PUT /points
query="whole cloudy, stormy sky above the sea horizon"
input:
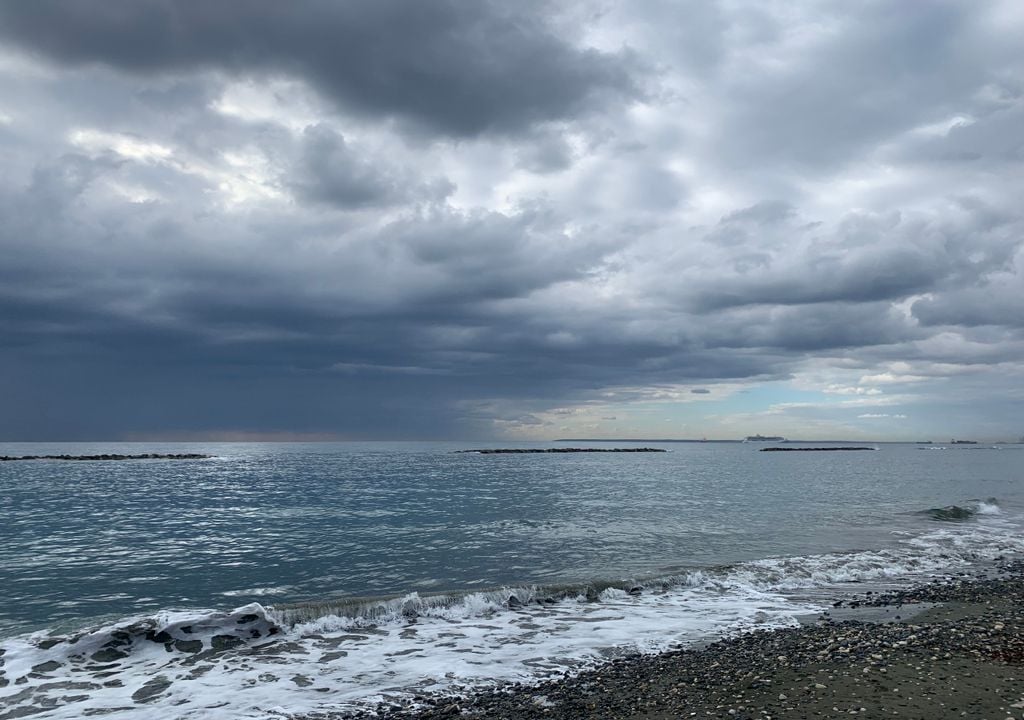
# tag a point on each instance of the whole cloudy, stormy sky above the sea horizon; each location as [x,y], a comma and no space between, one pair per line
[395,220]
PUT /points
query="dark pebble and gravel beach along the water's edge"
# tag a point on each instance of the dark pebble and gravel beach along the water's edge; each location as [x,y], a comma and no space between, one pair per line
[962,658]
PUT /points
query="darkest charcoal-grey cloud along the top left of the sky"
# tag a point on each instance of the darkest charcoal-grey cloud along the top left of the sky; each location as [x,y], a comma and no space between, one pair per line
[458,69]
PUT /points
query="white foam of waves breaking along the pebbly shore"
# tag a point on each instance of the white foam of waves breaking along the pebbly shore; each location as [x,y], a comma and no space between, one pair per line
[265,663]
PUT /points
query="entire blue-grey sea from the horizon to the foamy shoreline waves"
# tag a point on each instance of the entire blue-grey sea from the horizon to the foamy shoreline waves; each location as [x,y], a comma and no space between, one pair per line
[280,579]
